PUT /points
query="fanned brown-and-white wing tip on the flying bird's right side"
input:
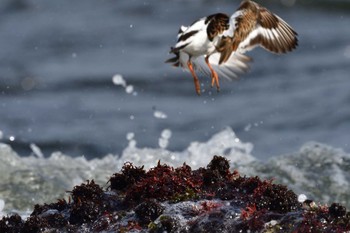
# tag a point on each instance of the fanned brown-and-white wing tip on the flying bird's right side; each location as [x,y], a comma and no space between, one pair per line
[271,32]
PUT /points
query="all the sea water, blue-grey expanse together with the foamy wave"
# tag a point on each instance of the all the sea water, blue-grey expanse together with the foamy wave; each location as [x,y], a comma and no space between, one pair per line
[84,87]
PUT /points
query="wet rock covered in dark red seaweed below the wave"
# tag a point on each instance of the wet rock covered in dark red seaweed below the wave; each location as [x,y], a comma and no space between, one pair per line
[167,199]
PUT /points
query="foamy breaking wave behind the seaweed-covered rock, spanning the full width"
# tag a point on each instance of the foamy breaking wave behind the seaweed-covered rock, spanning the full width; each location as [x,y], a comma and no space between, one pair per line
[319,171]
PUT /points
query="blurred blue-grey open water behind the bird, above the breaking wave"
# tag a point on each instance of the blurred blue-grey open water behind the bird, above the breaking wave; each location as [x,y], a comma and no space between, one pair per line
[58,58]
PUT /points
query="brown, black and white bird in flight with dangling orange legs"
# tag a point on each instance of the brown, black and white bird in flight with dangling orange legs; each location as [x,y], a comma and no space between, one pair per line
[216,44]
